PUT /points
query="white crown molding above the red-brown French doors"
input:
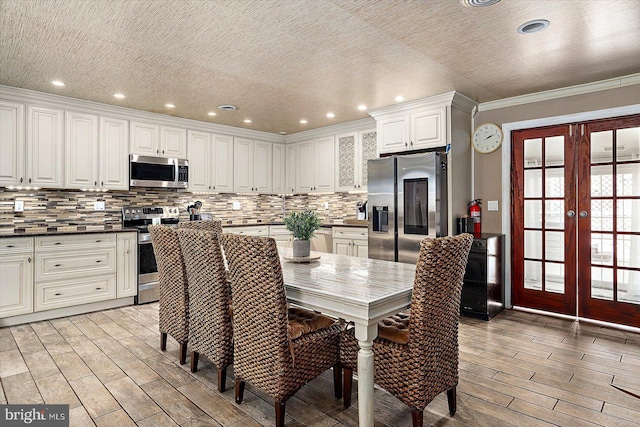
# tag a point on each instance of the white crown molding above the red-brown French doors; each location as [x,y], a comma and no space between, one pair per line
[632,79]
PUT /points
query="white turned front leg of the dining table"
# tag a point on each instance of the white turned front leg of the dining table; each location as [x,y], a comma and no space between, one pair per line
[365,335]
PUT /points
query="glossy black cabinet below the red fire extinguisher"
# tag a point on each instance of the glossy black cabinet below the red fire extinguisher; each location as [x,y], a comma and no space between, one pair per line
[482,291]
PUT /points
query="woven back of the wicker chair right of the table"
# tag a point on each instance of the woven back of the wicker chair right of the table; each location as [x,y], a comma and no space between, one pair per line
[435,302]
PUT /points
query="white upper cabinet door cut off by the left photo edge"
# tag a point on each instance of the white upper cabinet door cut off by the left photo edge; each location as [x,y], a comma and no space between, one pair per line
[12,144]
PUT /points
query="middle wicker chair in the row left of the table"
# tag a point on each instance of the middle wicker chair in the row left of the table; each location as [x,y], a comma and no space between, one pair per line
[210,331]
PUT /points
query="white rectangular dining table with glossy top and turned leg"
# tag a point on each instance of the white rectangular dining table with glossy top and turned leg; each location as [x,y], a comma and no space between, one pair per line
[359,290]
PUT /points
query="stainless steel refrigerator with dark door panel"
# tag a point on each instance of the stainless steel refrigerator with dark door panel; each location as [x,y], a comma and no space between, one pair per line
[407,202]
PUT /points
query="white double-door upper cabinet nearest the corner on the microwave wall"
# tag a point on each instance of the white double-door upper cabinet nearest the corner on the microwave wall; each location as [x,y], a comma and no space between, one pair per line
[252,167]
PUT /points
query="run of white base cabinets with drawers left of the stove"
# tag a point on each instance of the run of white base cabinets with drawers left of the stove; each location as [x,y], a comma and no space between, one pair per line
[51,276]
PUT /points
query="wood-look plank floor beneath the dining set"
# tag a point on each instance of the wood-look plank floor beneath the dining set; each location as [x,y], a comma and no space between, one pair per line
[518,369]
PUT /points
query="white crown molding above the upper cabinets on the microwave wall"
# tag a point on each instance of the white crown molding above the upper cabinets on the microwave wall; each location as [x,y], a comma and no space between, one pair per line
[91,107]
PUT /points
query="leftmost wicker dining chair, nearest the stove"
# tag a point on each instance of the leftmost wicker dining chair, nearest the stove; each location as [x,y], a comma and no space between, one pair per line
[174,294]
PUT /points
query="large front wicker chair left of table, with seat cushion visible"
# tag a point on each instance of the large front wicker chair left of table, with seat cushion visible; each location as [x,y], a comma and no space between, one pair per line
[276,349]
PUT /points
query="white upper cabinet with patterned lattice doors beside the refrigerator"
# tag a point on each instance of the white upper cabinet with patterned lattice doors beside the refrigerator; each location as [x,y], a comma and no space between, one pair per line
[352,152]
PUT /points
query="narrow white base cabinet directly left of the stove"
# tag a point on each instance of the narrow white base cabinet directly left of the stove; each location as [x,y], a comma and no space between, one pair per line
[127,265]
